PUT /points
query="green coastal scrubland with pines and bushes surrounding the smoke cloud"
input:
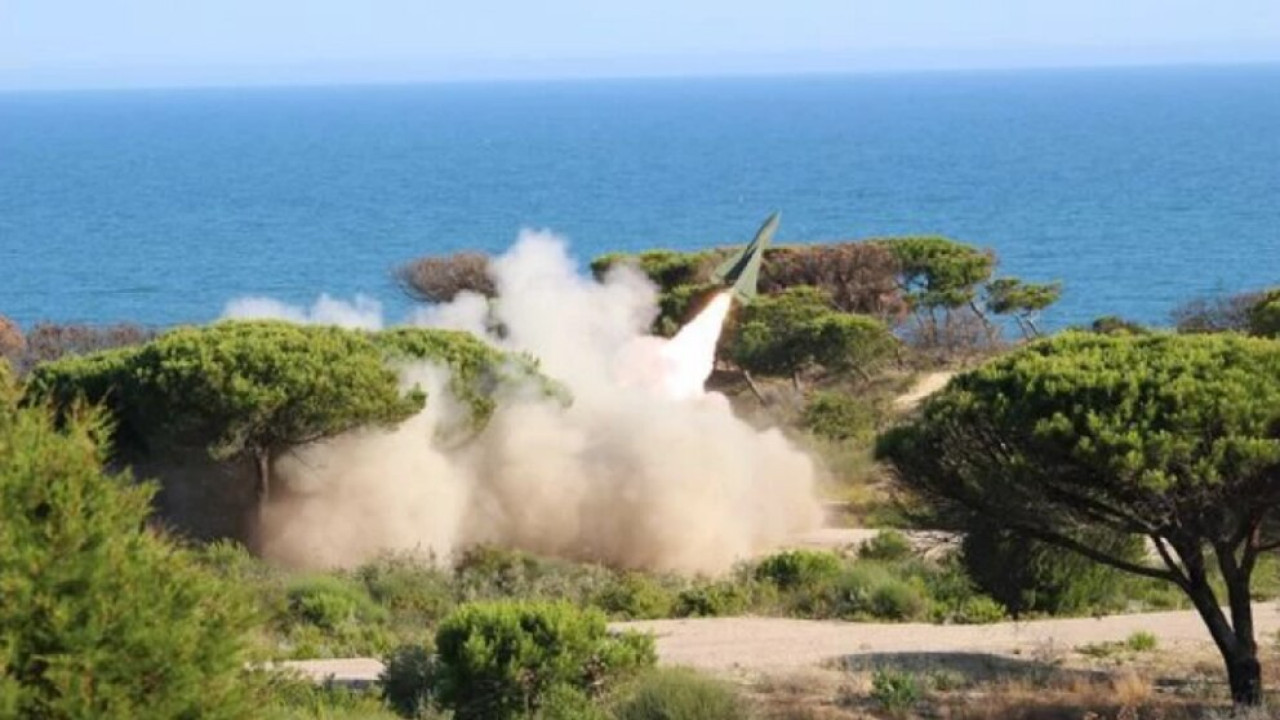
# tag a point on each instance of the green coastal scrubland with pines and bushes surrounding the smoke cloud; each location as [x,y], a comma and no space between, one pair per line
[1099,471]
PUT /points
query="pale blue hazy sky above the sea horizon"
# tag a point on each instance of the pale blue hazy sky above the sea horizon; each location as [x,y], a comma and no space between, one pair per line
[61,44]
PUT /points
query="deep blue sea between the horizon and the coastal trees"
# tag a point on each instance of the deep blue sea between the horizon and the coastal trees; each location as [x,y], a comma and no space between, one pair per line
[1136,188]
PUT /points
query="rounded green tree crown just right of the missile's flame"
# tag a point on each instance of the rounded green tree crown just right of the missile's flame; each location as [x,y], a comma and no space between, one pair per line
[797,330]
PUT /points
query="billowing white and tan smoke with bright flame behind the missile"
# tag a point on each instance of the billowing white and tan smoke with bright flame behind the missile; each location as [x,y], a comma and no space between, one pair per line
[646,470]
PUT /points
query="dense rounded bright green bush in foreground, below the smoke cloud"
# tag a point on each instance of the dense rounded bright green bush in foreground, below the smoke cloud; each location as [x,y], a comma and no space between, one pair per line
[501,660]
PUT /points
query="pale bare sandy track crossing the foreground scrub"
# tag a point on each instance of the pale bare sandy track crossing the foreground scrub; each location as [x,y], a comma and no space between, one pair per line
[770,645]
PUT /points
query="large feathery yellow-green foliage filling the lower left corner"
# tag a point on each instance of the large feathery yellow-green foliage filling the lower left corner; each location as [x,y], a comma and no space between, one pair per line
[102,618]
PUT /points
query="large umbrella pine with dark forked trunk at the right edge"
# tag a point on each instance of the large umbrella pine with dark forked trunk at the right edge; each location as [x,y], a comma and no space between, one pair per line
[1174,439]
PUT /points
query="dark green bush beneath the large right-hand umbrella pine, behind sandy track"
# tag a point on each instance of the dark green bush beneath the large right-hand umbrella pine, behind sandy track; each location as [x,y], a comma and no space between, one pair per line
[1031,577]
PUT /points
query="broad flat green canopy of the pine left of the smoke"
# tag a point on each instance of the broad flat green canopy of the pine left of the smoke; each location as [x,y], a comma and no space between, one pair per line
[244,388]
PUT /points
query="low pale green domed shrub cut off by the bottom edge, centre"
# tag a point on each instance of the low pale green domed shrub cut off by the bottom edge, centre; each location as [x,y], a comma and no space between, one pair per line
[682,695]
